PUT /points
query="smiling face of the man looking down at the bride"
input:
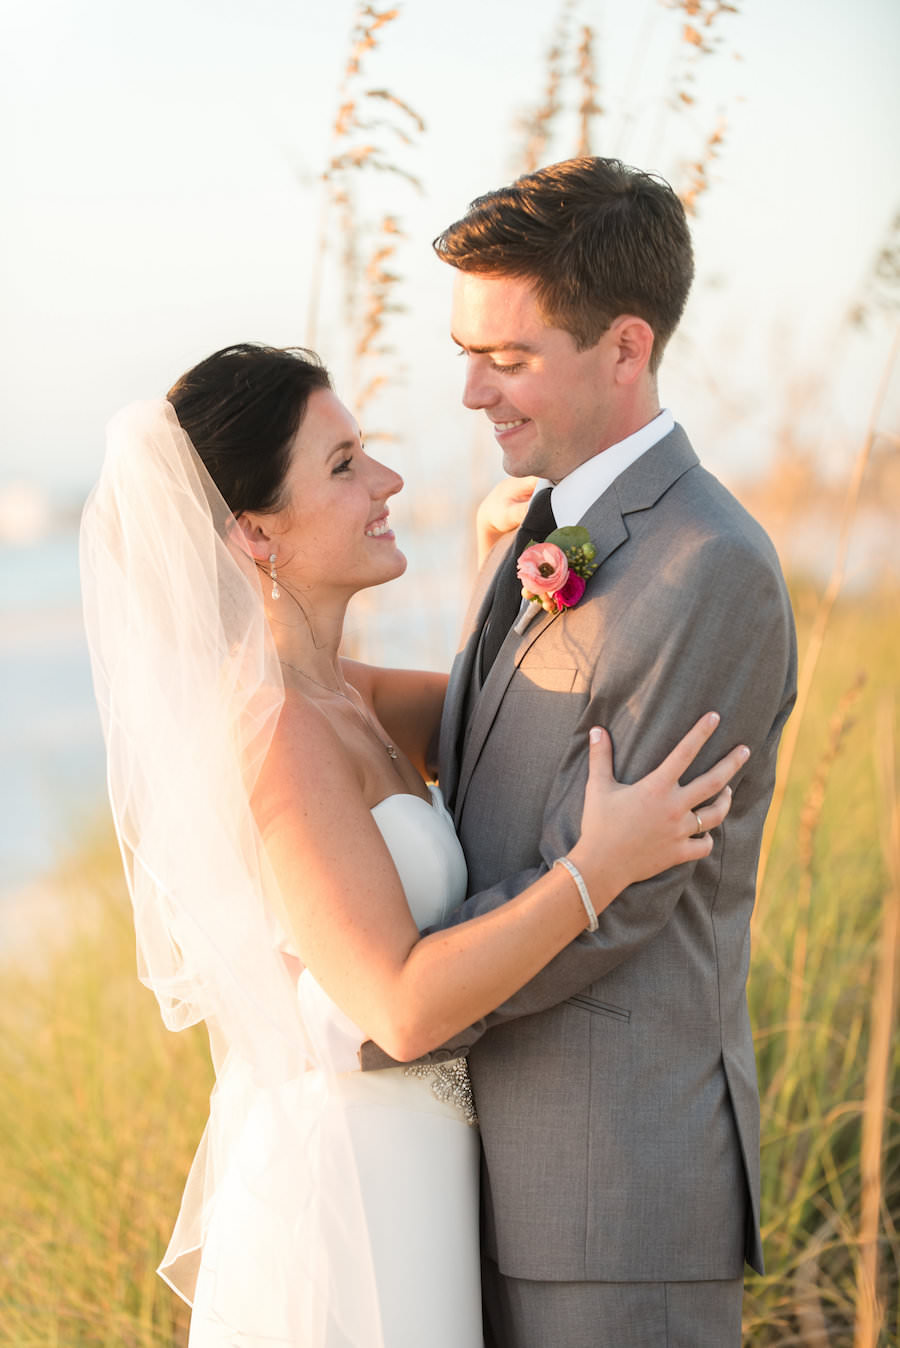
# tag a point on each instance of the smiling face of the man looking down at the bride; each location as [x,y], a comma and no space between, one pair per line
[550,405]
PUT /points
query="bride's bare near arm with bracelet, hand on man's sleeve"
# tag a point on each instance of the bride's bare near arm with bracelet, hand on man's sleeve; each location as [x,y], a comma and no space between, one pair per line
[347,913]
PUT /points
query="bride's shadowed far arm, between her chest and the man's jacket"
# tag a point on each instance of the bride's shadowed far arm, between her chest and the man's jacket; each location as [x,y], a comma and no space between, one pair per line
[409,706]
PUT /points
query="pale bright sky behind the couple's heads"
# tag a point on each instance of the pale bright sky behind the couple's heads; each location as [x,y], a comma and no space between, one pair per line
[164,192]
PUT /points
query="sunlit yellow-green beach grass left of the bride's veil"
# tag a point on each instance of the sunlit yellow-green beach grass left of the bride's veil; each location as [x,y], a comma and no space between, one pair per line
[100,1113]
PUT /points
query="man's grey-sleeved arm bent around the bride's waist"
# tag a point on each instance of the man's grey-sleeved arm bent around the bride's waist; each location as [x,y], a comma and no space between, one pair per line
[728,649]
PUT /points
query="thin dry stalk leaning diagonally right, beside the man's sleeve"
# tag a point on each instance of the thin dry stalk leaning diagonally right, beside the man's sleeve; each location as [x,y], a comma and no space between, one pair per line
[820,627]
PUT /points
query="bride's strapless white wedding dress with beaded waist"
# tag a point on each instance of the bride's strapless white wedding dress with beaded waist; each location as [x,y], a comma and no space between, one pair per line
[397,1153]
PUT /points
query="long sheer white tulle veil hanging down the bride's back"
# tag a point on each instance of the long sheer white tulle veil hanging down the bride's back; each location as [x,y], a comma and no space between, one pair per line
[189,691]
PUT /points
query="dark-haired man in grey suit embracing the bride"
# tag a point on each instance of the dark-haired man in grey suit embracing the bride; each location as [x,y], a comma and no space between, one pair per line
[618,1091]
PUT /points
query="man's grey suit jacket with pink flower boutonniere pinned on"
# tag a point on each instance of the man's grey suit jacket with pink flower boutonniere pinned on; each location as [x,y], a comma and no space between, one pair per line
[618,1091]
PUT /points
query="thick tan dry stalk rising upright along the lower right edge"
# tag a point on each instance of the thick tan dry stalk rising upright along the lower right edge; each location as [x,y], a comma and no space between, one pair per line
[885,1002]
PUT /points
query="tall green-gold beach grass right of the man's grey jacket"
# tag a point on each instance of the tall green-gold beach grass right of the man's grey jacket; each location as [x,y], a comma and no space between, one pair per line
[823,998]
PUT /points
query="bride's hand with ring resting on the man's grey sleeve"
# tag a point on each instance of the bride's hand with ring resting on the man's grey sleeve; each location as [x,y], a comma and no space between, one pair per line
[634,832]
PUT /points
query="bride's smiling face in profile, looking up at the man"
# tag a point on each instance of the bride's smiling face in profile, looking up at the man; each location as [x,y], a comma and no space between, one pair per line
[333,530]
